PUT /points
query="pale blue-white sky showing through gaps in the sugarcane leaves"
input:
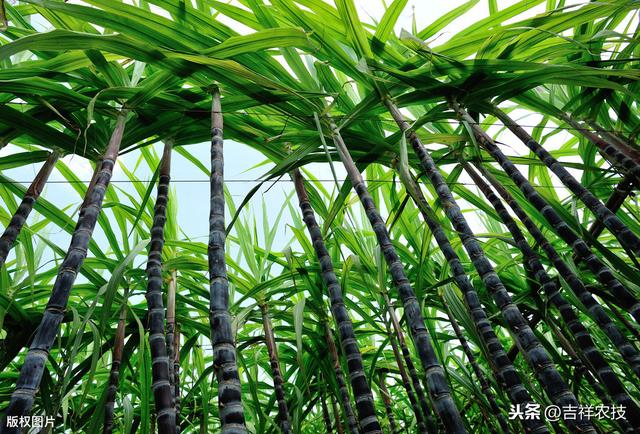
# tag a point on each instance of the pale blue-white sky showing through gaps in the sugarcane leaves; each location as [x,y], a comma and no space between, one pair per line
[191,185]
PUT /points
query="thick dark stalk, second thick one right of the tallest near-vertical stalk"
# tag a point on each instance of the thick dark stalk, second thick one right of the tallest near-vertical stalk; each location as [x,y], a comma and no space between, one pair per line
[441,398]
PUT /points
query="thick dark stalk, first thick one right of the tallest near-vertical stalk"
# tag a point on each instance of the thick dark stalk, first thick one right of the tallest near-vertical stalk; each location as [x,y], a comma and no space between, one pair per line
[362,391]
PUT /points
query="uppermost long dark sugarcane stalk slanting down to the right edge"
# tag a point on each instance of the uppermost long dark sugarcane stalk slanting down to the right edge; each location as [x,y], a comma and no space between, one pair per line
[624,235]
